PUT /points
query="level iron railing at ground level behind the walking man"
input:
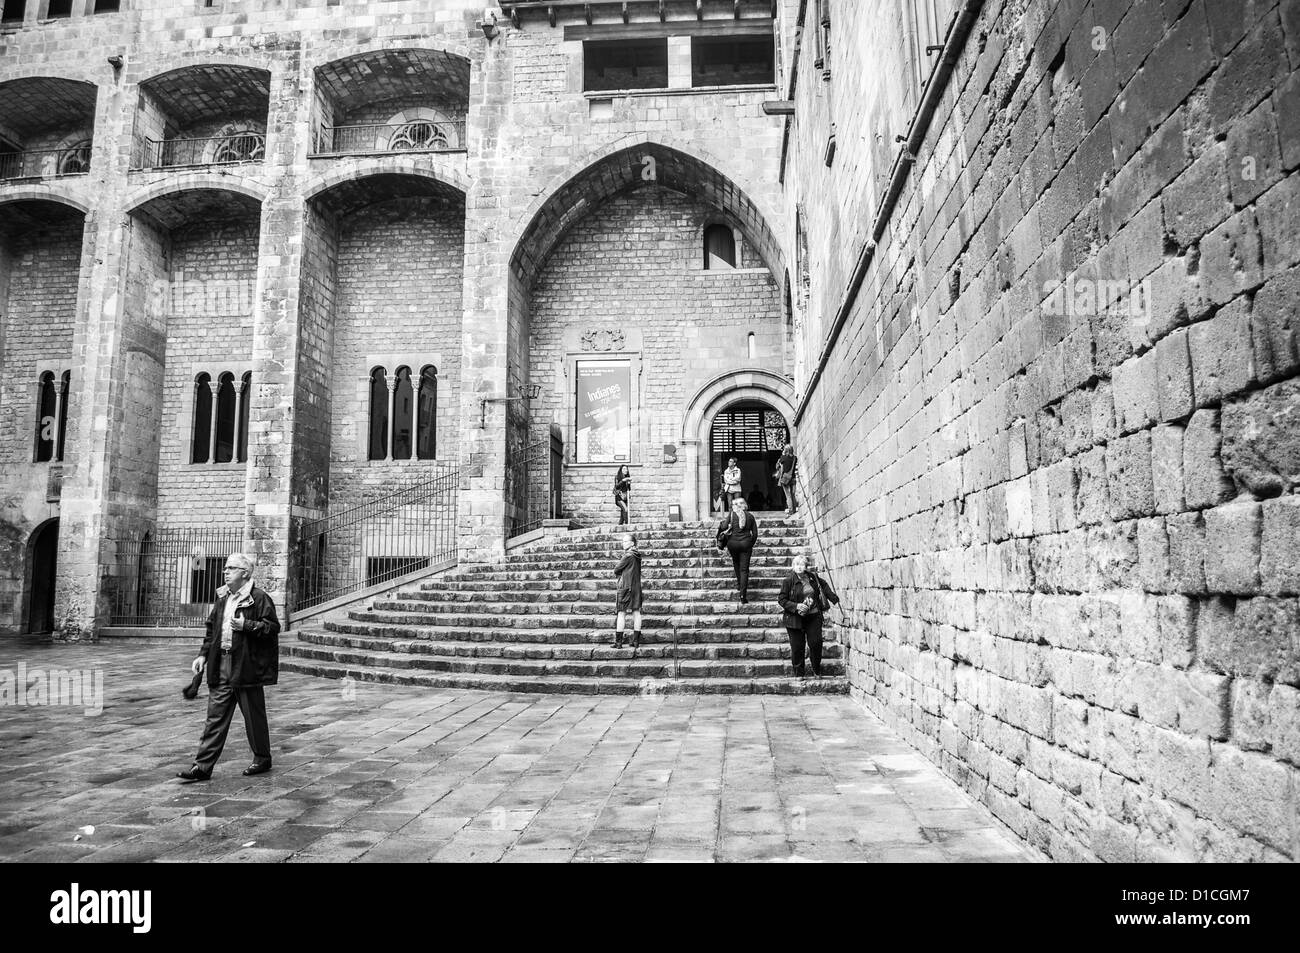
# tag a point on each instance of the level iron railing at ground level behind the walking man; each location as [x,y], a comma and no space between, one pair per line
[171,577]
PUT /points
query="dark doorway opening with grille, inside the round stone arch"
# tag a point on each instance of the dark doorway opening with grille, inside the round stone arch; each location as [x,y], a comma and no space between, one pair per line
[752,432]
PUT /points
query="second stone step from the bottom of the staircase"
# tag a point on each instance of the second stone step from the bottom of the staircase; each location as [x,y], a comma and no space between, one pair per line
[603,651]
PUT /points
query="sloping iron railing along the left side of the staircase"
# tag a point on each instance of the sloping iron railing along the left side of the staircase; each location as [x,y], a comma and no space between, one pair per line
[378,543]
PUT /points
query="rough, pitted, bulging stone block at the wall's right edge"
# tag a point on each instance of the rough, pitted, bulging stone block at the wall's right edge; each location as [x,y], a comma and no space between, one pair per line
[1262,440]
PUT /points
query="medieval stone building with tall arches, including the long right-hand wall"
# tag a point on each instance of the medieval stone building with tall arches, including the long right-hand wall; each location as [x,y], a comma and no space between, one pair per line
[1020,278]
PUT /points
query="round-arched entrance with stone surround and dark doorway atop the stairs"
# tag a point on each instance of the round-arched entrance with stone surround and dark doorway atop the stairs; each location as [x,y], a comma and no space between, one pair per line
[743,395]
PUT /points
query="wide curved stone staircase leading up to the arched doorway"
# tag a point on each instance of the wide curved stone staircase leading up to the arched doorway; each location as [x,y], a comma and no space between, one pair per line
[544,622]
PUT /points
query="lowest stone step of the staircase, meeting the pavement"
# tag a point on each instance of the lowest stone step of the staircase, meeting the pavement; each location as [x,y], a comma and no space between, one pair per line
[567,686]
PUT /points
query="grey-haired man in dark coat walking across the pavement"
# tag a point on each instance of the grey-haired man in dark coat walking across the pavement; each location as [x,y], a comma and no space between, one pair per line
[241,655]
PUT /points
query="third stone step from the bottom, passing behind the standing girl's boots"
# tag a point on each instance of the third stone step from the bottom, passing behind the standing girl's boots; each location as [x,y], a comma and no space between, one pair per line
[538,635]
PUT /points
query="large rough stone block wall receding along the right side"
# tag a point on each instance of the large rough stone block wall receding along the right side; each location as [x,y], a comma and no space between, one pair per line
[1068,532]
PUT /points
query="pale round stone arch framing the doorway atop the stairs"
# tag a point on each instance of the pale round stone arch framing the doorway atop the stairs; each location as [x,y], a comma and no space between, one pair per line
[716,397]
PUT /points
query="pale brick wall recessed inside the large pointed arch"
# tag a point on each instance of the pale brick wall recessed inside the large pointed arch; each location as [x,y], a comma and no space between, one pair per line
[636,265]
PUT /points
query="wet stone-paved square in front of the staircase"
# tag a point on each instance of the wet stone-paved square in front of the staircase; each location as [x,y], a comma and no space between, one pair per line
[378,773]
